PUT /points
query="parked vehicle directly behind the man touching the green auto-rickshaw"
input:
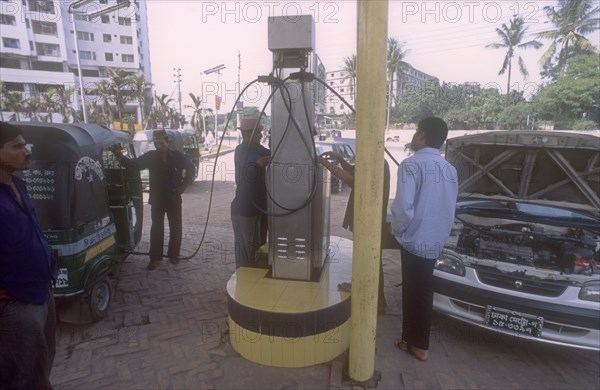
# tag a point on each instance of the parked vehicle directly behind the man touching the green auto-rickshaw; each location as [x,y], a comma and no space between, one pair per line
[186,141]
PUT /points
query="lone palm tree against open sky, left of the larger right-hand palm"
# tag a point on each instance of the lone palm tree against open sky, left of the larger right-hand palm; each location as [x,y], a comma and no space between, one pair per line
[511,39]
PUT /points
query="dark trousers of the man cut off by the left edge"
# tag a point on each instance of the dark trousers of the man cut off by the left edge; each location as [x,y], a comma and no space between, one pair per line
[27,344]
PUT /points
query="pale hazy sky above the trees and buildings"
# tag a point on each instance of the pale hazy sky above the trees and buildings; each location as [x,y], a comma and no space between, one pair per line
[445,39]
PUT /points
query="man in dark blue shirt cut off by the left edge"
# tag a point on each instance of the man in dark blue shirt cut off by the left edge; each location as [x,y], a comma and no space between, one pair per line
[27,271]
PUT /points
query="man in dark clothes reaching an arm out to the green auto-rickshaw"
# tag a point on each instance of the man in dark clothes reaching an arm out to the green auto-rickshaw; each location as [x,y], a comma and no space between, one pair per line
[167,183]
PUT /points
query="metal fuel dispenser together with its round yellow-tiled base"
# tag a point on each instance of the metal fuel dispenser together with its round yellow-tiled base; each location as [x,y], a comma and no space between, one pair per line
[293,315]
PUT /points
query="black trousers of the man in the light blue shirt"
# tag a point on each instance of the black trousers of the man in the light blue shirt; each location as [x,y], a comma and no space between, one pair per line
[417,298]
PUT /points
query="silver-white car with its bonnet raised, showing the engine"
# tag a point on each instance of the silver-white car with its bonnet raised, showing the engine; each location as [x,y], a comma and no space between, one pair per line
[523,255]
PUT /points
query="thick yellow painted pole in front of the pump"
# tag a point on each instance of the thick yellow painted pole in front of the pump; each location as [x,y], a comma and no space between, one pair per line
[372,19]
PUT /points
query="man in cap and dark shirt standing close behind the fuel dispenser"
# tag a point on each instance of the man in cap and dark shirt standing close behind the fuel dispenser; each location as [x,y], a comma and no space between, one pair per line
[249,205]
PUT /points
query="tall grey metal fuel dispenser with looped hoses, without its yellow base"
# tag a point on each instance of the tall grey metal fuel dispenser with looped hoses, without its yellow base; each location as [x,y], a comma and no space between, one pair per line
[298,204]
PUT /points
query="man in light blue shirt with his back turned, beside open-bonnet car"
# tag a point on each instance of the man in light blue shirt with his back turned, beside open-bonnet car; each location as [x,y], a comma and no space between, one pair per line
[422,217]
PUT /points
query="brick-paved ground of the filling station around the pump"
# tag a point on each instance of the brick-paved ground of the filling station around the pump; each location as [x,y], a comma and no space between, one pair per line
[167,329]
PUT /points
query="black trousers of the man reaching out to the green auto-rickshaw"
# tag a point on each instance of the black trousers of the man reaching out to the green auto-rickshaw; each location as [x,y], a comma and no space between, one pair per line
[157,231]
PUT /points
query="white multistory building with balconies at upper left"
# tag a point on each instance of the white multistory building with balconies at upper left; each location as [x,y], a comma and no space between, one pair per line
[38,48]
